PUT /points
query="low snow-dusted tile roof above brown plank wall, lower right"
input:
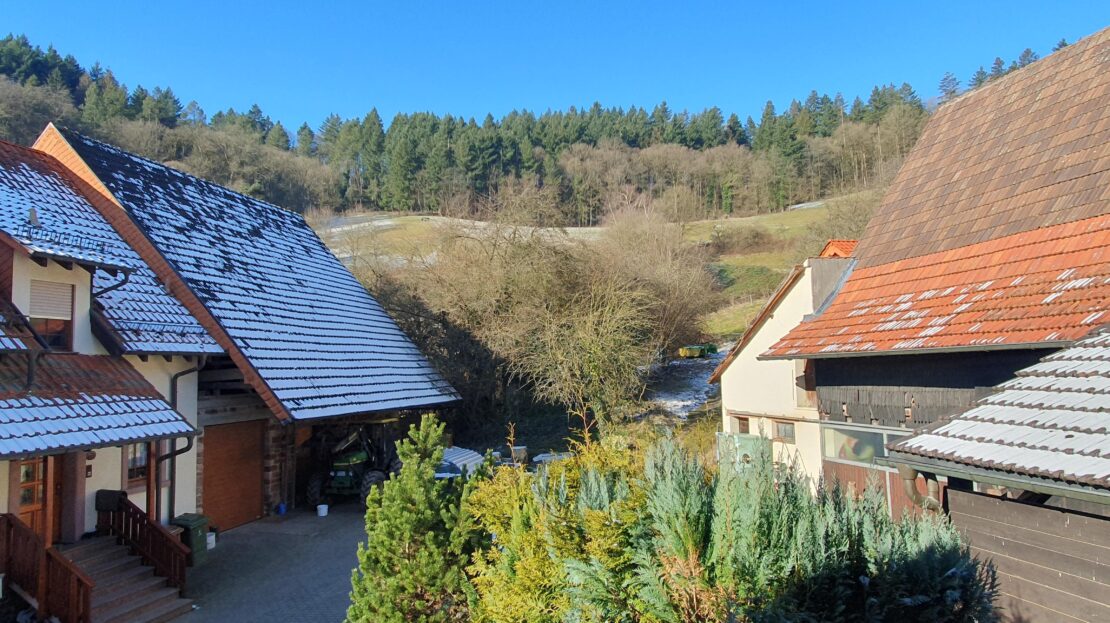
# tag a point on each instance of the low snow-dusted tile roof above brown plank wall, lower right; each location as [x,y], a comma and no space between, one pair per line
[1052,421]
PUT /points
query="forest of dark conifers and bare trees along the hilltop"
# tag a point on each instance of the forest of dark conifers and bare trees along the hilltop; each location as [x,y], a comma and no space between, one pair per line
[560,168]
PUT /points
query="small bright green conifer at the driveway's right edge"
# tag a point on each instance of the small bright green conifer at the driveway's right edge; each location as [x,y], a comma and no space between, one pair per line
[411,567]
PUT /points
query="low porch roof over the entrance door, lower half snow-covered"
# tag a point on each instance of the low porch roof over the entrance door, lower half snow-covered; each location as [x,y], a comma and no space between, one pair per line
[79,401]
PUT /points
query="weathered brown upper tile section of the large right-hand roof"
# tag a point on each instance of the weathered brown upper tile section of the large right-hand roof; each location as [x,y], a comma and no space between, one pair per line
[1025,152]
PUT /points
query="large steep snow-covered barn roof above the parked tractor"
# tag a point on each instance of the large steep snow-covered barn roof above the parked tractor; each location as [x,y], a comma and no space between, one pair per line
[314,336]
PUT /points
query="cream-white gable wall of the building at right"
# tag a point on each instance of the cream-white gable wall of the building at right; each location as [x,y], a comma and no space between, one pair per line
[766,391]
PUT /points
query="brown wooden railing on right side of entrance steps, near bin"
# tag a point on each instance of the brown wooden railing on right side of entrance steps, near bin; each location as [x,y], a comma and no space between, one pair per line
[149,539]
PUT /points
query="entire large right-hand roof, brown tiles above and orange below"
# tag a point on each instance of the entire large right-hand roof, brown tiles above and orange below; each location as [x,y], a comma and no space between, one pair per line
[994,234]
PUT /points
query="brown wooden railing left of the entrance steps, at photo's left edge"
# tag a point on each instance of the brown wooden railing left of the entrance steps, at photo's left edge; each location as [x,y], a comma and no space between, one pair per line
[60,589]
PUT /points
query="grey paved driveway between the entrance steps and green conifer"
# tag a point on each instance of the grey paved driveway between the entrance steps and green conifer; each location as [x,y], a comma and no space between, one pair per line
[297,568]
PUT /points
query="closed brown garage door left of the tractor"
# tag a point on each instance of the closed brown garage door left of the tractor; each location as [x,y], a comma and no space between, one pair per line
[234,474]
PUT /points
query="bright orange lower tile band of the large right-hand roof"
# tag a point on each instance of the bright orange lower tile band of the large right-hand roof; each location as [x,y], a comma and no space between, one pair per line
[1042,287]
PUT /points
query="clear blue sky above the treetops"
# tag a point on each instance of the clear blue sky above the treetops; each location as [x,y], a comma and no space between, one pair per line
[301,62]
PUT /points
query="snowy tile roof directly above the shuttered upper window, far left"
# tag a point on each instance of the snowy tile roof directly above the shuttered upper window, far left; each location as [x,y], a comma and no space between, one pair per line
[43,212]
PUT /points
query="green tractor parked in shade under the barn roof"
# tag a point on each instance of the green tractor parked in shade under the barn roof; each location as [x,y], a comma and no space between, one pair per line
[356,464]
